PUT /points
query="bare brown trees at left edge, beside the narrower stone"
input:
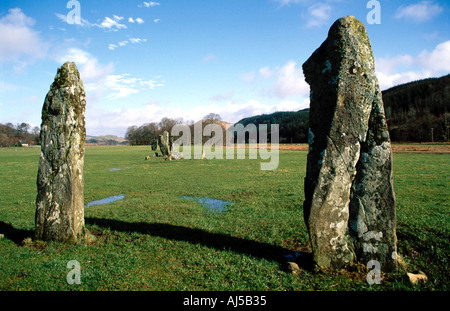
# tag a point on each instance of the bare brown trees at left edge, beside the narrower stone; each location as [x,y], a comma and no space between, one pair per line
[12,135]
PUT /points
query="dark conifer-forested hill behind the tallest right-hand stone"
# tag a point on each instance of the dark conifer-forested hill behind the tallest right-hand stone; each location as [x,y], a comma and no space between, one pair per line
[412,111]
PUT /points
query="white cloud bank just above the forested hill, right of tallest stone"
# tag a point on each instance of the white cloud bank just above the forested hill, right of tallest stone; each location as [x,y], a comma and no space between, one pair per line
[406,68]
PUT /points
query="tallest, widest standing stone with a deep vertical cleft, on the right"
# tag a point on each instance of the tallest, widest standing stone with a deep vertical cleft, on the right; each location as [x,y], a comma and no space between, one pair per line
[349,206]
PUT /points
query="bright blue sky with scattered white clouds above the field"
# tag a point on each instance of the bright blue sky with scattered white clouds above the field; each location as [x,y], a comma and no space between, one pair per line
[141,61]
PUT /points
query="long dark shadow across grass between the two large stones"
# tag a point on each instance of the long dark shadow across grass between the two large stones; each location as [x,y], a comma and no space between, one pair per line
[217,241]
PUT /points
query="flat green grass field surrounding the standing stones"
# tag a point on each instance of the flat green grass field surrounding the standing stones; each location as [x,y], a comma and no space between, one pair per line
[156,240]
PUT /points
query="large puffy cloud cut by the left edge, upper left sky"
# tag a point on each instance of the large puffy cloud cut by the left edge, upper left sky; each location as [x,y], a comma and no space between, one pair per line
[19,42]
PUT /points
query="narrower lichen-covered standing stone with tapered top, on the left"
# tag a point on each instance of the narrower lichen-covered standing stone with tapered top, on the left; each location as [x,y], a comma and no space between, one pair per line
[60,181]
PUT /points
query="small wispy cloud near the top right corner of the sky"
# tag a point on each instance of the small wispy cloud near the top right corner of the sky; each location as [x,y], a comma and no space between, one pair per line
[419,12]
